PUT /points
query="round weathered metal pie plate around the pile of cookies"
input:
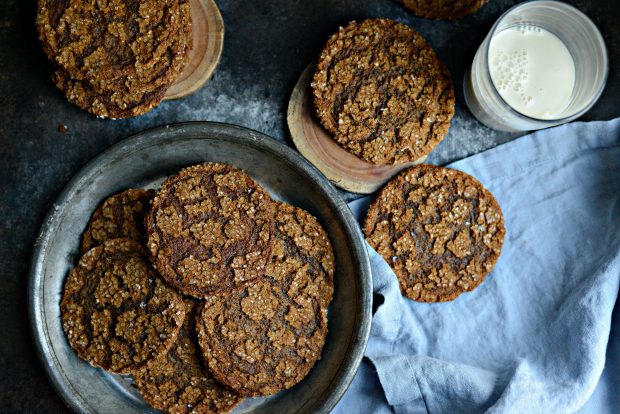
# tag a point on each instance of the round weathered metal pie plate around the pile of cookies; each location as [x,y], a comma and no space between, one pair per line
[145,160]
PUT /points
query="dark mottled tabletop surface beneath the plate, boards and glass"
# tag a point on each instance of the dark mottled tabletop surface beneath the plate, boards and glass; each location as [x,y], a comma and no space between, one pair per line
[267,45]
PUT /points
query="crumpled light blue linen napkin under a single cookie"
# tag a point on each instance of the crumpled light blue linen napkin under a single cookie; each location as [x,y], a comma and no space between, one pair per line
[533,336]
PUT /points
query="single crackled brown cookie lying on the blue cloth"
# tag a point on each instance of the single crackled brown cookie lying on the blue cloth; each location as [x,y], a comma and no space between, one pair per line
[439,229]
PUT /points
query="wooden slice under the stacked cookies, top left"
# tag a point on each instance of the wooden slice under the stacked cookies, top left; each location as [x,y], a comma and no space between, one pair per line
[208,42]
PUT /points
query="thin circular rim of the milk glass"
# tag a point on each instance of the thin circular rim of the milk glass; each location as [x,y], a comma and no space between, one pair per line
[599,38]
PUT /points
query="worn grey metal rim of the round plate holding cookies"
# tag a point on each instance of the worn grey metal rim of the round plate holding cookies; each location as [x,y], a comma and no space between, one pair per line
[236,136]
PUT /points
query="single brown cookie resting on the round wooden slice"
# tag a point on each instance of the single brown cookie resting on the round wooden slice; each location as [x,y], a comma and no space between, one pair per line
[382,92]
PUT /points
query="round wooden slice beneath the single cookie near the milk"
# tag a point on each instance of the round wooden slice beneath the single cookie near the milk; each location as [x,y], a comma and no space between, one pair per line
[342,168]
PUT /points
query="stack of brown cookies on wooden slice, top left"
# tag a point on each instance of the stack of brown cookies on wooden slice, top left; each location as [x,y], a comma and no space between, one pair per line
[115,59]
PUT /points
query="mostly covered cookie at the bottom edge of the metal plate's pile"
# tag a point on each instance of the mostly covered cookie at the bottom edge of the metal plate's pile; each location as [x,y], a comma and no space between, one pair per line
[179,382]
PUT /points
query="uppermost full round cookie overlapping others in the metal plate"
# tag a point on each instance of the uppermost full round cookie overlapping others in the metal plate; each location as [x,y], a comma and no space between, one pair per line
[210,229]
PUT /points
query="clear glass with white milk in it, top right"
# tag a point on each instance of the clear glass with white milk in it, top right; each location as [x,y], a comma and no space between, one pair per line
[542,64]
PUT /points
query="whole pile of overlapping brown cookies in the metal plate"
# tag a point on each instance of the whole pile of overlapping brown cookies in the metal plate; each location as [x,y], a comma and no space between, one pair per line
[237,306]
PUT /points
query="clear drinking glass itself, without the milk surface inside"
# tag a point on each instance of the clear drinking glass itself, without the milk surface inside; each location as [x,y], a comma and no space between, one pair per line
[583,41]
